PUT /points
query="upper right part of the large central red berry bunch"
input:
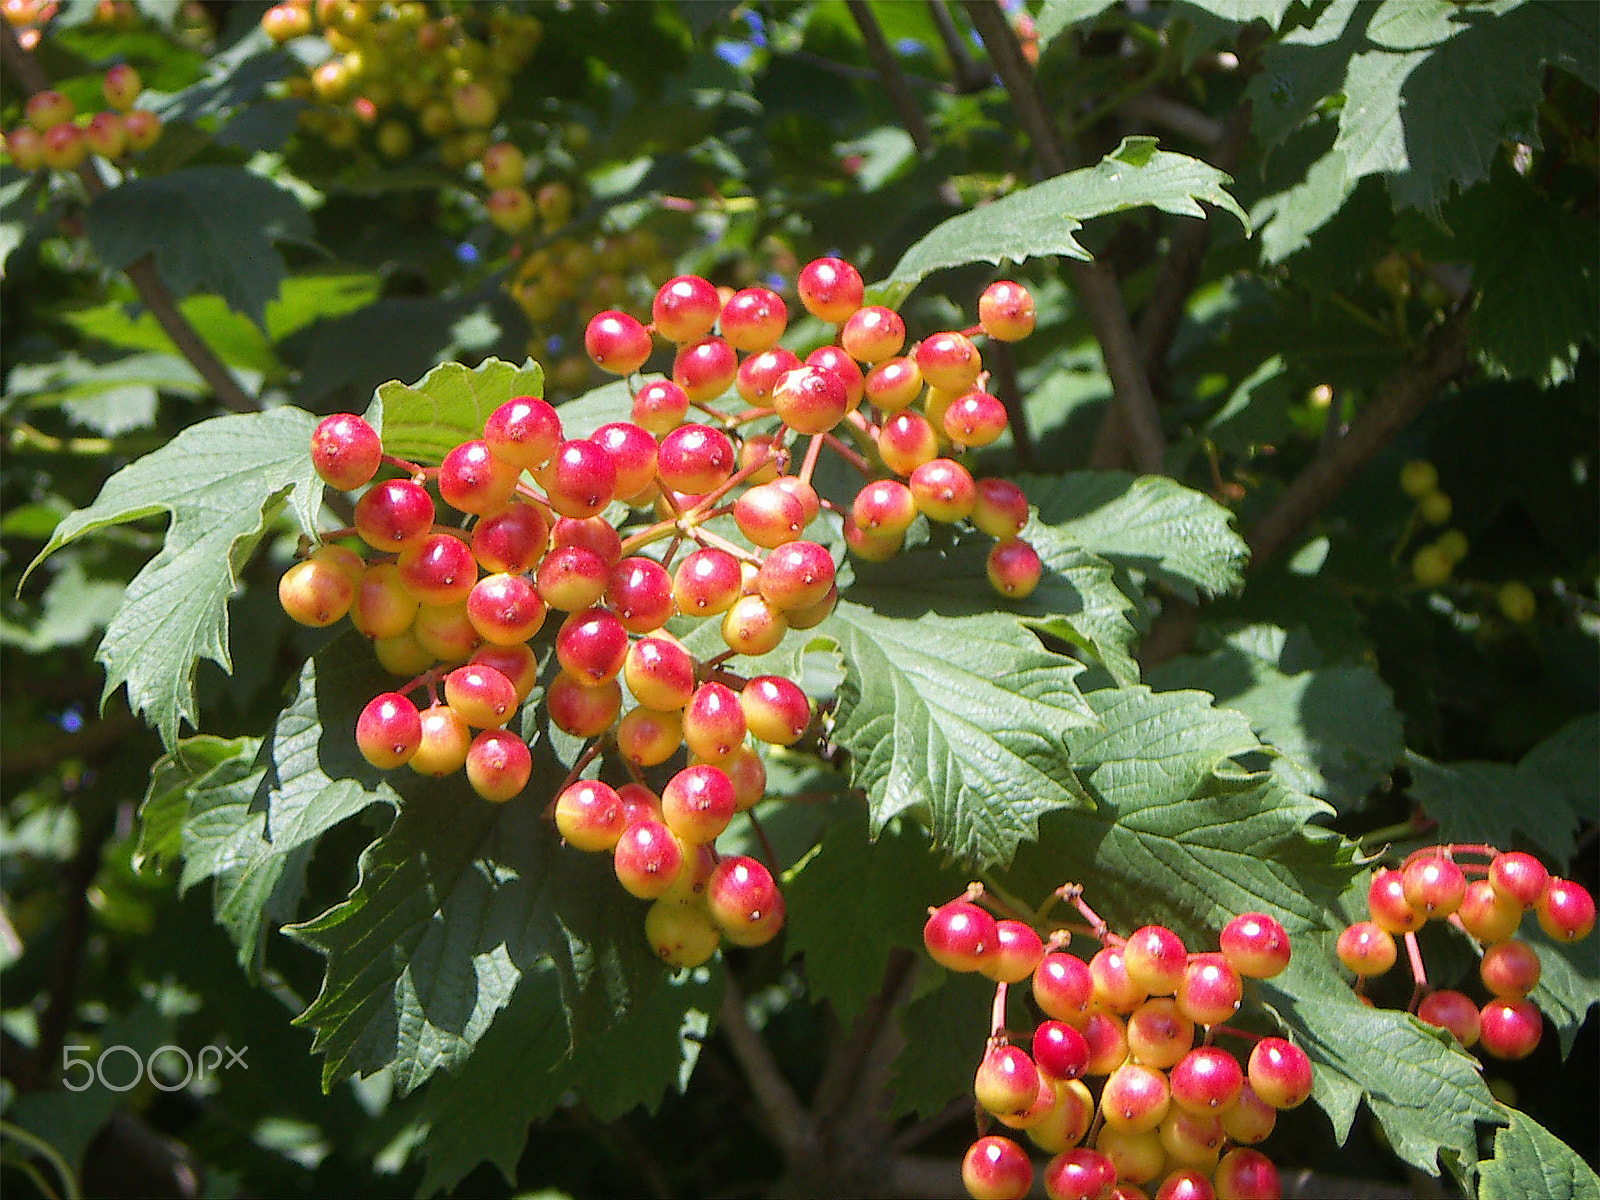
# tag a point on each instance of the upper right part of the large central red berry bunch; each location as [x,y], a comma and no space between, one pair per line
[913,410]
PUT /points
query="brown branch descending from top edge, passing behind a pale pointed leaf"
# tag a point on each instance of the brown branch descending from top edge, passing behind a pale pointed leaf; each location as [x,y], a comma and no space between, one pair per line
[1095,282]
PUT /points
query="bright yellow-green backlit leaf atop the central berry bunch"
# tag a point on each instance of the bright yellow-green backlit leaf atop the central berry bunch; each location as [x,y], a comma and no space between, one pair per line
[425,422]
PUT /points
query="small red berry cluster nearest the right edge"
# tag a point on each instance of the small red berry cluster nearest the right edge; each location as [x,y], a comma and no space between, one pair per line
[1489,908]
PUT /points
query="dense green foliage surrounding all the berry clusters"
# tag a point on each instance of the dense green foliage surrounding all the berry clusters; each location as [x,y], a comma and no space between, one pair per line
[1281,250]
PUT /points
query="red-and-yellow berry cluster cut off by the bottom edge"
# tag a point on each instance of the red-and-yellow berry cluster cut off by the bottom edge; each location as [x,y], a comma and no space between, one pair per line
[1170,1116]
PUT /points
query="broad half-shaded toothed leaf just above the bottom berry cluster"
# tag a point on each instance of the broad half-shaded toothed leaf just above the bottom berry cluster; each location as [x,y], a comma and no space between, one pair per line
[1182,833]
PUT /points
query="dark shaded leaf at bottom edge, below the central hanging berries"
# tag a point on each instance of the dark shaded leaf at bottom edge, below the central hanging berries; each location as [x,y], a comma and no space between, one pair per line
[524,1071]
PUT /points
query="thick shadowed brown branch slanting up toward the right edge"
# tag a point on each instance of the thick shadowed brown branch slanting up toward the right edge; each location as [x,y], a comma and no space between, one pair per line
[1444,358]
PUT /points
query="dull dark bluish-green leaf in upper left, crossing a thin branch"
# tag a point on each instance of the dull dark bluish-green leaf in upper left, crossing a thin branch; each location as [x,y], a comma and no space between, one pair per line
[210,230]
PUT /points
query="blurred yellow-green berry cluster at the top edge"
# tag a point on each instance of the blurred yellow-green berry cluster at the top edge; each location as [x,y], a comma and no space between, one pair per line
[399,71]
